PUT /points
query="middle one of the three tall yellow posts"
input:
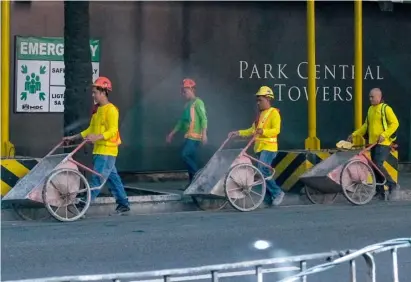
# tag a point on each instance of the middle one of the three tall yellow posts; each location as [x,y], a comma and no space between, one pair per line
[312,142]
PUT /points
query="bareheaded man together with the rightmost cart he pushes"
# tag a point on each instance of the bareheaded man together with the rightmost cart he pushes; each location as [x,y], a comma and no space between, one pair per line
[350,170]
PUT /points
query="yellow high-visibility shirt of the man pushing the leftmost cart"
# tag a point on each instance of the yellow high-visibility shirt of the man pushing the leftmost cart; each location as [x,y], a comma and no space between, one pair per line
[105,122]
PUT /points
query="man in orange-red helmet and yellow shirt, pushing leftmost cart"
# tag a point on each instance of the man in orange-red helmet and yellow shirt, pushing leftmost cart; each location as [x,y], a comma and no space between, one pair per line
[104,133]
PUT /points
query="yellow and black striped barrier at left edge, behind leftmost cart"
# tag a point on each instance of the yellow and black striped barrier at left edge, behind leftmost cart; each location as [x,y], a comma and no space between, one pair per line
[12,170]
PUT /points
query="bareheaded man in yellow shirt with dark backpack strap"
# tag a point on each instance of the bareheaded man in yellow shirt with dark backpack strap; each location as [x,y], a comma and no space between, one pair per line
[380,127]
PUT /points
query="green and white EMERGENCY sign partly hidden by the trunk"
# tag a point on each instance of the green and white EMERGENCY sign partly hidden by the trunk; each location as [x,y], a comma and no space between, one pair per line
[39,78]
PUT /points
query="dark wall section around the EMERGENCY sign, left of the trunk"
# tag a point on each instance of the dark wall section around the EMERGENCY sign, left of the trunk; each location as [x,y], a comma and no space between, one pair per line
[34,134]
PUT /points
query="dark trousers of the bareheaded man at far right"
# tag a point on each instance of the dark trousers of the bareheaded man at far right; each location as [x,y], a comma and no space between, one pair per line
[379,154]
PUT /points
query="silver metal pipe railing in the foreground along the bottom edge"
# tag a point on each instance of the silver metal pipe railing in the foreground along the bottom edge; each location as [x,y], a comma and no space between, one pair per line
[255,268]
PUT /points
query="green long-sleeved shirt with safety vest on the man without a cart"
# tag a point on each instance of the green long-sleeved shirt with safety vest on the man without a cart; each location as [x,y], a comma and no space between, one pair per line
[193,120]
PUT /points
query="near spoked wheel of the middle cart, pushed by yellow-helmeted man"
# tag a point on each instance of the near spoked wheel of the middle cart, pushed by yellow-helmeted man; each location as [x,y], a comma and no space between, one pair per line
[245,187]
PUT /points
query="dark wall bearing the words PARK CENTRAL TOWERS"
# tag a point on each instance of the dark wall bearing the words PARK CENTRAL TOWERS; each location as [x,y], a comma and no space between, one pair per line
[148,47]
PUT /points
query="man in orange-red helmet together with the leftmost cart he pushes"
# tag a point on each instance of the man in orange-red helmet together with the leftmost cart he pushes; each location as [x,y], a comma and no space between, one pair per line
[57,182]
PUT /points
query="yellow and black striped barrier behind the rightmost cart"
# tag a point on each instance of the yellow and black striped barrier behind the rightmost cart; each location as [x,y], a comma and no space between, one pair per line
[290,165]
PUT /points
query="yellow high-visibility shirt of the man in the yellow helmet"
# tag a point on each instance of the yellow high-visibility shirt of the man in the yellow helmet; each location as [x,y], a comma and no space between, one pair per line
[270,122]
